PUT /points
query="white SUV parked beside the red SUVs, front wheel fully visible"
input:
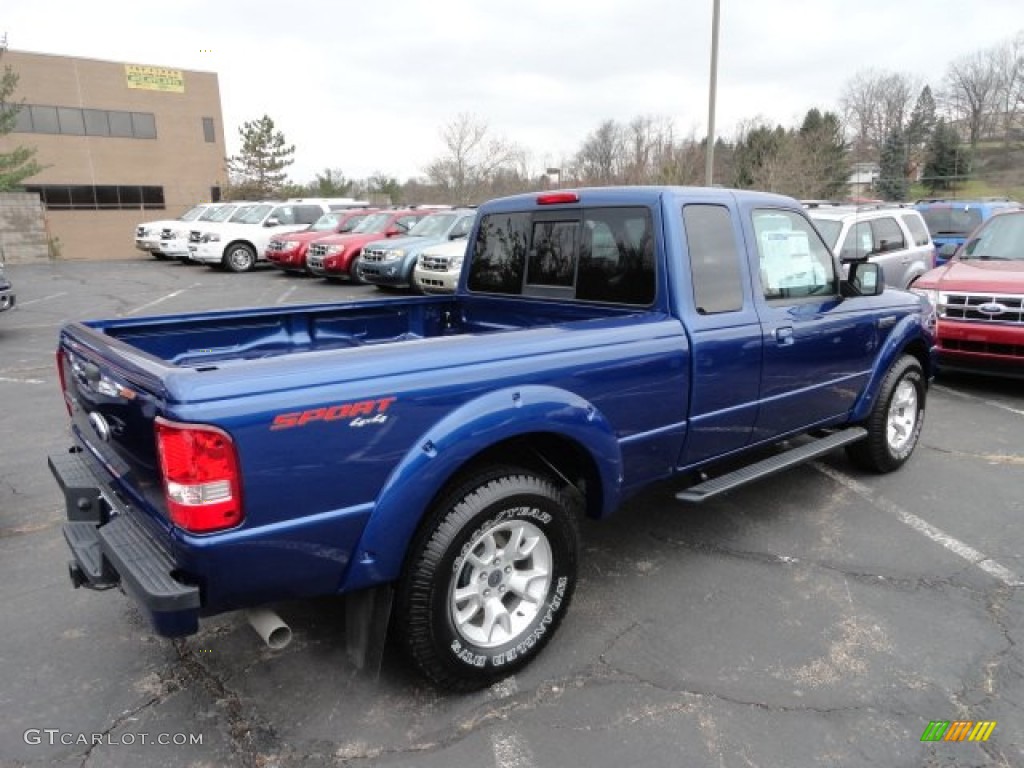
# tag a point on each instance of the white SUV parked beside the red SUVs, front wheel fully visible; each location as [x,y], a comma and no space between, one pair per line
[241,242]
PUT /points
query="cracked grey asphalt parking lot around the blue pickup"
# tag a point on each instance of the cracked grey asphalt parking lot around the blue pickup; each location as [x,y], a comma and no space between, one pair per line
[820,618]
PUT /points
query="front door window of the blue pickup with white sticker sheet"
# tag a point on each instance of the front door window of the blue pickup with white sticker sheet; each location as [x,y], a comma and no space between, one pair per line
[794,261]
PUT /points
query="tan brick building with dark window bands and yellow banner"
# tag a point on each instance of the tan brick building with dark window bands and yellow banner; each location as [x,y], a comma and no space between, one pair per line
[121,144]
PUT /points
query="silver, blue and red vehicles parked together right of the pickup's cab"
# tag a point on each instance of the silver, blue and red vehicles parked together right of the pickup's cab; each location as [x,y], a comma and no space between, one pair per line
[966,257]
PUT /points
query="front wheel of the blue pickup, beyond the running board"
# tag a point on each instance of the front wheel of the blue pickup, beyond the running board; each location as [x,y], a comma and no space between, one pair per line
[895,421]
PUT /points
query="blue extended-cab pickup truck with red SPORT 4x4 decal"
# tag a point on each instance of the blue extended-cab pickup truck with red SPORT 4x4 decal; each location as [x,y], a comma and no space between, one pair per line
[430,457]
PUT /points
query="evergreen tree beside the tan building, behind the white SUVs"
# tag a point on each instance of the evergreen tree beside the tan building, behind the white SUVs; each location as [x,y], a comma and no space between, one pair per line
[260,169]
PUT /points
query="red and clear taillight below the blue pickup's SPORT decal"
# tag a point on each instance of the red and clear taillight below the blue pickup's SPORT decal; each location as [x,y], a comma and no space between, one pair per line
[201,477]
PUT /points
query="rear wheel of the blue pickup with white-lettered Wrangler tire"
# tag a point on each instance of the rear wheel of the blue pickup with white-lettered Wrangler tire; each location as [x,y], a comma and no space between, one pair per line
[448,635]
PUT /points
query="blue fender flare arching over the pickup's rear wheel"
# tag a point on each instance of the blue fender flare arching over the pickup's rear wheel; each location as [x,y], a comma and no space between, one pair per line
[448,446]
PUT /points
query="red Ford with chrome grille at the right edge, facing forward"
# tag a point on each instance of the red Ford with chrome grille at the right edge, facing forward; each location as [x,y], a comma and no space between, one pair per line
[979,300]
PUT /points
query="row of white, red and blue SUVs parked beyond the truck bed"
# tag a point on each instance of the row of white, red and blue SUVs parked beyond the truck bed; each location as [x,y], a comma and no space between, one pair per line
[310,237]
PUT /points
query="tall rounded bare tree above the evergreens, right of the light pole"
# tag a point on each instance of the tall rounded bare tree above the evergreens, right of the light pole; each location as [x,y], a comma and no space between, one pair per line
[876,104]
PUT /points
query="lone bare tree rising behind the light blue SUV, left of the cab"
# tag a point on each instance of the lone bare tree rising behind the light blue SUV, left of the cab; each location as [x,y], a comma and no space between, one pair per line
[475,159]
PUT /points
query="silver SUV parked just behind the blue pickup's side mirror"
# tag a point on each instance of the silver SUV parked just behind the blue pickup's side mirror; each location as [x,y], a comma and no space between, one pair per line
[890,235]
